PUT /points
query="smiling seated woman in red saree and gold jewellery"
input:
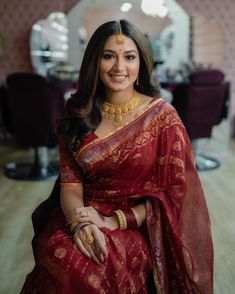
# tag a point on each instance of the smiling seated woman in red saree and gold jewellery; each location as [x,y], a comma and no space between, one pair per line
[132,215]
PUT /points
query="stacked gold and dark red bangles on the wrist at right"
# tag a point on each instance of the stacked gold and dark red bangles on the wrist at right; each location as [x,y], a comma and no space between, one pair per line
[128,219]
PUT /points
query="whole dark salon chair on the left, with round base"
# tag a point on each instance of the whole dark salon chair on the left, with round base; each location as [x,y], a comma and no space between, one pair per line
[34,106]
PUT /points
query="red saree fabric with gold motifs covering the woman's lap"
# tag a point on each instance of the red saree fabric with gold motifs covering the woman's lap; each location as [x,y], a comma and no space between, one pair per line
[125,269]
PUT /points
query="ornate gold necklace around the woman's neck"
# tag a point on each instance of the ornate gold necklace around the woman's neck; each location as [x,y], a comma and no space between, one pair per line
[117,112]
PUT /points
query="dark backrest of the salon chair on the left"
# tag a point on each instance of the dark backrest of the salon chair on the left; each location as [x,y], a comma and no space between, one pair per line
[34,108]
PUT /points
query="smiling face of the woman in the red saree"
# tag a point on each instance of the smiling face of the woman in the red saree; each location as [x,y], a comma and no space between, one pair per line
[119,64]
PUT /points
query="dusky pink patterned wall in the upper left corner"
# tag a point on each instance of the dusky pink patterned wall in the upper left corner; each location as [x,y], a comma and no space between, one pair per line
[16,22]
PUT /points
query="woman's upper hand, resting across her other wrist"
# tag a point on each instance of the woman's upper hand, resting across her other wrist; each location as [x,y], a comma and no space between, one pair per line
[90,214]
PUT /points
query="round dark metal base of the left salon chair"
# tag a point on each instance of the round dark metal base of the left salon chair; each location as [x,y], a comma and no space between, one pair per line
[31,172]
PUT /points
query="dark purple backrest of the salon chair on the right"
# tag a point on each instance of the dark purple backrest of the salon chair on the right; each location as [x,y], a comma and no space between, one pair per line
[200,103]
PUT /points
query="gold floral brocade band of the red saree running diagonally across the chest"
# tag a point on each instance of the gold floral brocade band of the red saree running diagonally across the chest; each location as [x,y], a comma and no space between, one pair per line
[142,133]
